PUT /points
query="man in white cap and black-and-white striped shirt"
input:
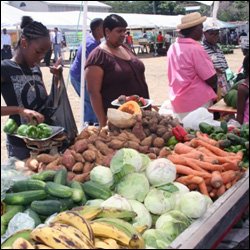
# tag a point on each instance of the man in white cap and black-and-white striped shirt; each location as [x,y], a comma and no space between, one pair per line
[210,44]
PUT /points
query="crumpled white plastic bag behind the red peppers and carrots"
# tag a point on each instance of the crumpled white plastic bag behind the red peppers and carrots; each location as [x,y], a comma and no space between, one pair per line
[193,119]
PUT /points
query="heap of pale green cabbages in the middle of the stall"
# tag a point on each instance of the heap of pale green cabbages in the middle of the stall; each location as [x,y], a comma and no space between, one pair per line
[148,188]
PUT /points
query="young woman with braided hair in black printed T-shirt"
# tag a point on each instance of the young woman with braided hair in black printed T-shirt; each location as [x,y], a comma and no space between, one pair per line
[22,85]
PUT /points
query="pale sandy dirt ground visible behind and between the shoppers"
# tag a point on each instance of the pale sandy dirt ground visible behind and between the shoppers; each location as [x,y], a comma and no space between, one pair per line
[156,77]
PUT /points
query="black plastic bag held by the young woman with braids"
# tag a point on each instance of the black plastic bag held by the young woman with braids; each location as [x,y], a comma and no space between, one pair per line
[58,111]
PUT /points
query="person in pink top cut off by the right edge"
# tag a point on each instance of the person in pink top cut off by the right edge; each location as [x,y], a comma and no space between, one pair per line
[243,95]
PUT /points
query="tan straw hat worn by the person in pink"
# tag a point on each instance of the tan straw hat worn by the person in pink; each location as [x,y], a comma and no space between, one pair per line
[191,20]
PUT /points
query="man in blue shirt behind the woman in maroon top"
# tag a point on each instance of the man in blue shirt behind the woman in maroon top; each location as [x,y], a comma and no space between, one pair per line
[93,40]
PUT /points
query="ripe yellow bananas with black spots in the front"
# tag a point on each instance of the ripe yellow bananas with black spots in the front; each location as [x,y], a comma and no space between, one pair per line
[85,228]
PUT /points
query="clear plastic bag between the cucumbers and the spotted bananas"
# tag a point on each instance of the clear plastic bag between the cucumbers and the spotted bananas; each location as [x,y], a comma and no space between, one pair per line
[19,222]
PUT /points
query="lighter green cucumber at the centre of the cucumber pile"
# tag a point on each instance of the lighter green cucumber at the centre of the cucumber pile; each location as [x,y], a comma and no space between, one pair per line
[58,190]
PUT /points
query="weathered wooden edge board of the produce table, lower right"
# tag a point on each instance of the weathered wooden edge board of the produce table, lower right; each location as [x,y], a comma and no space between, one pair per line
[209,231]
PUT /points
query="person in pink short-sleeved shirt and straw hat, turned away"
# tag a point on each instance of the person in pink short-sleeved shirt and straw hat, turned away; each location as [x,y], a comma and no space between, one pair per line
[191,73]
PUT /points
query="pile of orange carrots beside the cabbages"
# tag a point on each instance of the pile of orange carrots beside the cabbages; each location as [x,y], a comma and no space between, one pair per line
[202,165]
